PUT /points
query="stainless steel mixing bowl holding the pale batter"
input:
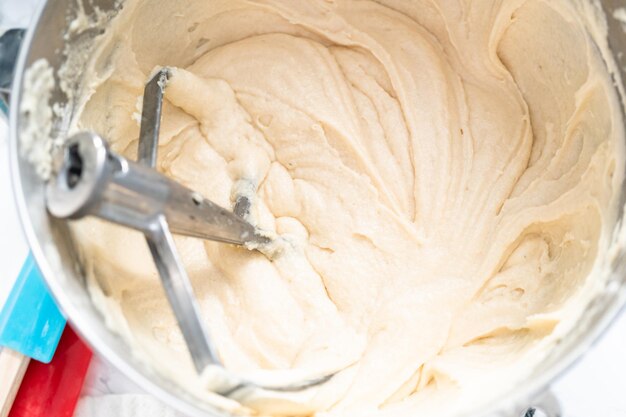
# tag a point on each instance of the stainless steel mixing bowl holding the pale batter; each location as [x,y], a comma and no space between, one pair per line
[58,259]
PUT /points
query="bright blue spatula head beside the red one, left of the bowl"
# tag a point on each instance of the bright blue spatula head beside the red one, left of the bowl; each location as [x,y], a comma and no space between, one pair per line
[30,321]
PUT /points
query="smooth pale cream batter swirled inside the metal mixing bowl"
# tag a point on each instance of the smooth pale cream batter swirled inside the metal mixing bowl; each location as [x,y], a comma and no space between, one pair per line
[443,176]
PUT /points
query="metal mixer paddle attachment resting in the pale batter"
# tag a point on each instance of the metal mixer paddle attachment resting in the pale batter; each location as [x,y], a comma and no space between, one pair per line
[94,181]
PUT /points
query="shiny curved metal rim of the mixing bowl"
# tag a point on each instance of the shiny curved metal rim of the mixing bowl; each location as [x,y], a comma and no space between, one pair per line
[518,397]
